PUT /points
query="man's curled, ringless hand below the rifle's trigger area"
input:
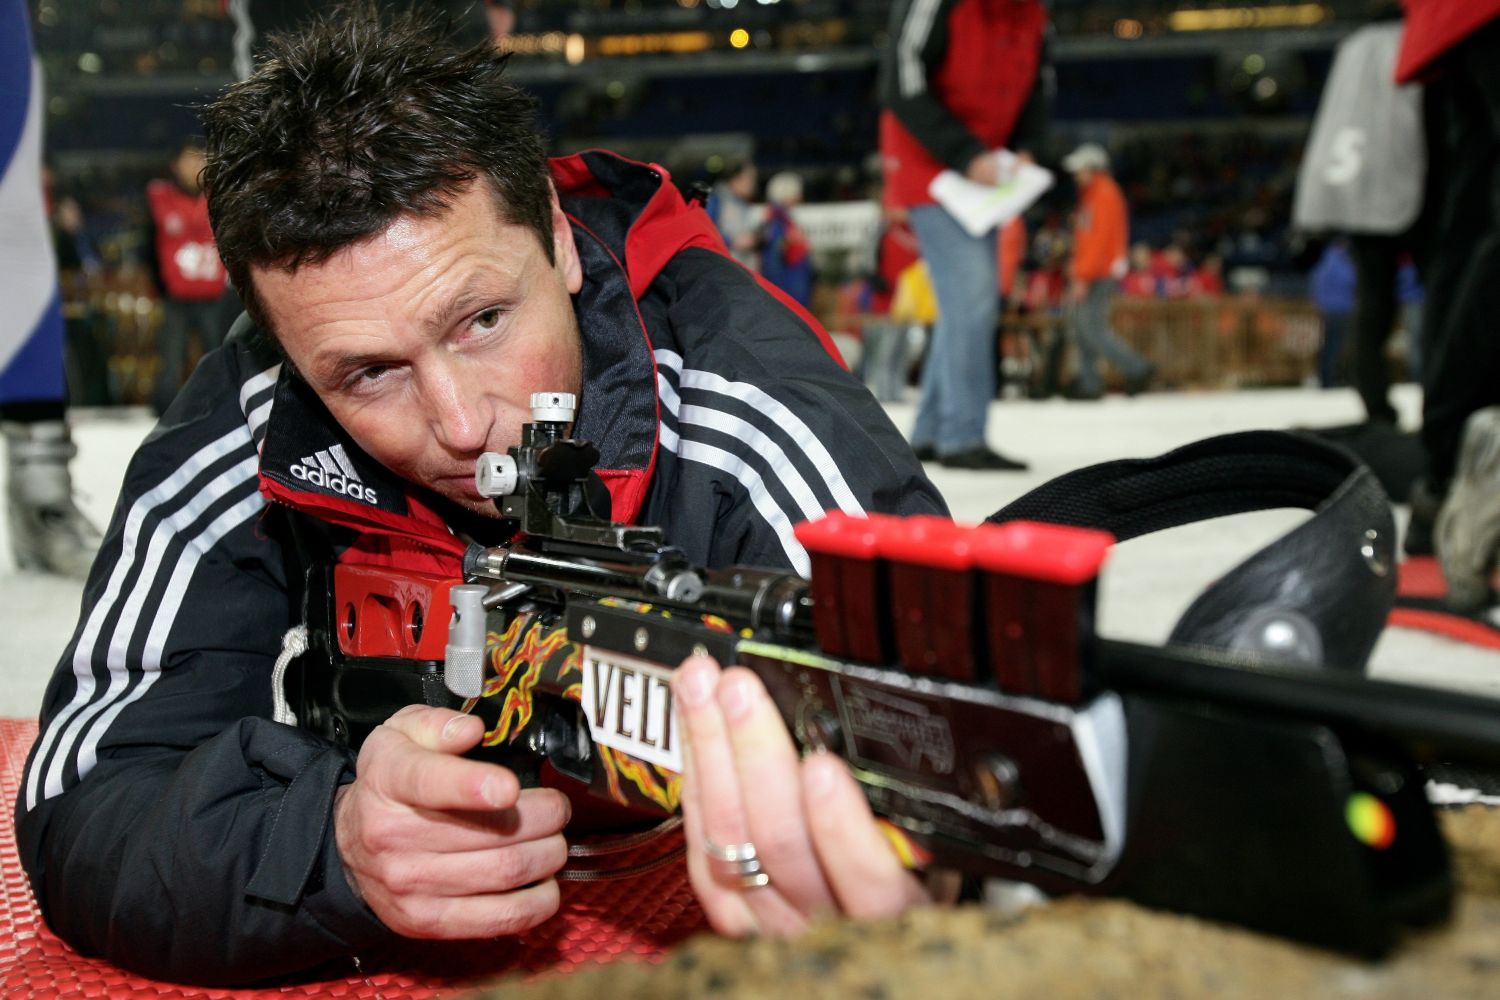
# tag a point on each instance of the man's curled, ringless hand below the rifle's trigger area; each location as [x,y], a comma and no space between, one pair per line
[442,846]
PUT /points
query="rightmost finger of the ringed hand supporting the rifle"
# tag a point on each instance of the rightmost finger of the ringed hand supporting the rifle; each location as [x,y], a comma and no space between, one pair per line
[860,864]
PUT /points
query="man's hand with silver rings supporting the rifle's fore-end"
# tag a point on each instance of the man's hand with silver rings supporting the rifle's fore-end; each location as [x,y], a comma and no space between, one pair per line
[811,825]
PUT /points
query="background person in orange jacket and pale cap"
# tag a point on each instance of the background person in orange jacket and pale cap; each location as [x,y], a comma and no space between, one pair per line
[1100,239]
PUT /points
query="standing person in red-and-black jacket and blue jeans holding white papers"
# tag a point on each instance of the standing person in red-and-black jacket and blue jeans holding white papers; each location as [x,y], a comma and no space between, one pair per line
[959,80]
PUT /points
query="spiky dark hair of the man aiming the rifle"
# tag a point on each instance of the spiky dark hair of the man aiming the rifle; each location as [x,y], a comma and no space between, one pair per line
[355,121]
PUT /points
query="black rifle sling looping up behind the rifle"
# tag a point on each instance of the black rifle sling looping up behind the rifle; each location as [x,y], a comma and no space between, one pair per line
[1319,596]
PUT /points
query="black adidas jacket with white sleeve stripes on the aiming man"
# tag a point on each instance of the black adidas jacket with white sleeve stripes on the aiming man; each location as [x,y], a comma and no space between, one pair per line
[166,822]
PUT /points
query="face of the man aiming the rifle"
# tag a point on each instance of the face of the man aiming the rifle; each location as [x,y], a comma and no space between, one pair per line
[427,341]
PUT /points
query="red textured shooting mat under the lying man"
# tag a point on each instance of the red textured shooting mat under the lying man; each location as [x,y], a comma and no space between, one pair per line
[635,918]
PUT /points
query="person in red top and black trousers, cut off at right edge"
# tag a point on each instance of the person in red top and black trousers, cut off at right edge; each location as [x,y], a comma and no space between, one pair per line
[1453,49]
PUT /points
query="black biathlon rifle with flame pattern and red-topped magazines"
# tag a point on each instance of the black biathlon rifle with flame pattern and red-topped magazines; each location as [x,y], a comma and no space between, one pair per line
[956,669]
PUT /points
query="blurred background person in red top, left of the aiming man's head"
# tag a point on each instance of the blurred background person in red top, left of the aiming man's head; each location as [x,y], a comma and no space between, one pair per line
[190,278]
